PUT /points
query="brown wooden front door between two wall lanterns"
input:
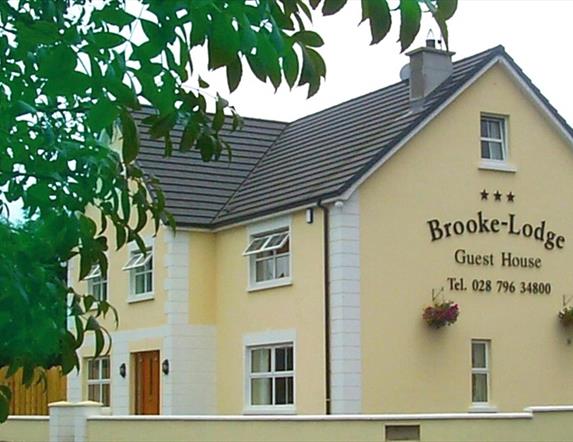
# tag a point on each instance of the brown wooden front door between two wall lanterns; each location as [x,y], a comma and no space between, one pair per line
[147,382]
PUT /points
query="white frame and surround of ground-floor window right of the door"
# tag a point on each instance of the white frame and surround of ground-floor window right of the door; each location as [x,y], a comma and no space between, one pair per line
[270,339]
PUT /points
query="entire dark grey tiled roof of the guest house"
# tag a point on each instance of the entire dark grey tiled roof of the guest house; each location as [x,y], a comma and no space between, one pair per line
[278,166]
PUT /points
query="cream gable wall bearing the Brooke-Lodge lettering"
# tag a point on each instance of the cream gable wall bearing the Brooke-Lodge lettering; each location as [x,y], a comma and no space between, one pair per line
[408,367]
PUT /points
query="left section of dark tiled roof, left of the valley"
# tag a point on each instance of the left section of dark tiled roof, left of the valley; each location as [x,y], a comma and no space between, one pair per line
[196,191]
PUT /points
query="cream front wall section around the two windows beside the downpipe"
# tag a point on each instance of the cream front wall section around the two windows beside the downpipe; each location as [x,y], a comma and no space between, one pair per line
[299,306]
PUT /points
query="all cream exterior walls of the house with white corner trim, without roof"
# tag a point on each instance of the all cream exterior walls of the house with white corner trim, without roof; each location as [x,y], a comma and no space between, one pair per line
[383,267]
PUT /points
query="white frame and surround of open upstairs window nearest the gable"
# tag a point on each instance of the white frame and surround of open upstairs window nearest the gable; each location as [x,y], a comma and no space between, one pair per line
[269,229]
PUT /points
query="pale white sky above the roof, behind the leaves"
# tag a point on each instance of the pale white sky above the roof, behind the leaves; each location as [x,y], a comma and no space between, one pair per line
[537,34]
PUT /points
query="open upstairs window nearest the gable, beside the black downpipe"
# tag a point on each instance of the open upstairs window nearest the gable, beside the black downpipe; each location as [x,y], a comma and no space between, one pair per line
[269,255]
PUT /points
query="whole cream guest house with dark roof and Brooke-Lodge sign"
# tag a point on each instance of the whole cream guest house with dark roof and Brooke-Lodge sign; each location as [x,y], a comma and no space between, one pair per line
[300,271]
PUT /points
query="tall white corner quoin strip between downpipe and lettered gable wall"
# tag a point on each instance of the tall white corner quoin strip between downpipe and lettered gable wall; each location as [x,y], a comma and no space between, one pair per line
[345,325]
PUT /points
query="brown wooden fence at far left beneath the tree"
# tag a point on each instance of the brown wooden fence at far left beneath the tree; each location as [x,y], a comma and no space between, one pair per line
[34,400]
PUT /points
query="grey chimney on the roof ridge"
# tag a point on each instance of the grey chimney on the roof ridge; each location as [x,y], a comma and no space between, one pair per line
[428,67]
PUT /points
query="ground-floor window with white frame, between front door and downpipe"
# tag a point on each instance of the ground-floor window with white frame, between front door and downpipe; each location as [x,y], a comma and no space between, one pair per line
[271,375]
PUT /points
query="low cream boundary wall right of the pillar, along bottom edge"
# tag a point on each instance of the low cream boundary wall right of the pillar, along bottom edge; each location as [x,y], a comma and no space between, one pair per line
[541,427]
